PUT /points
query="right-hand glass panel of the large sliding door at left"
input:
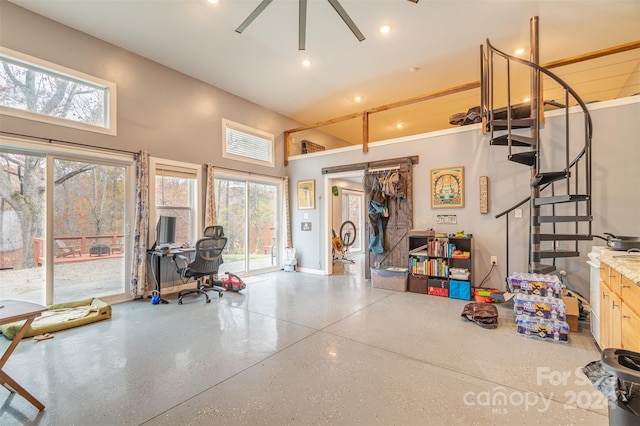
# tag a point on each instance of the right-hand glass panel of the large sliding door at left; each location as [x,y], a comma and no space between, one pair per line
[88,229]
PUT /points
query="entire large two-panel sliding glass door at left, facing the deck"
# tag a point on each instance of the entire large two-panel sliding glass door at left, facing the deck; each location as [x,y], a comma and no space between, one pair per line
[63,225]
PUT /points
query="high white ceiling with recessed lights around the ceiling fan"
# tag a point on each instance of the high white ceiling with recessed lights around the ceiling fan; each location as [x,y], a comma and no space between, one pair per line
[440,38]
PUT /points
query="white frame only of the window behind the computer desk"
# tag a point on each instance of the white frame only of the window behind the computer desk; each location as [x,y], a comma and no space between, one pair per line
[196,216]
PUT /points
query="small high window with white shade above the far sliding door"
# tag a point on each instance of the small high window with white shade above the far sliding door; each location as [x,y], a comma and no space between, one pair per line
[243,143]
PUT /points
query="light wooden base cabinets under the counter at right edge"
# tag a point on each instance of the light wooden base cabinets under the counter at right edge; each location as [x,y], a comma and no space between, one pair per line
[619,310]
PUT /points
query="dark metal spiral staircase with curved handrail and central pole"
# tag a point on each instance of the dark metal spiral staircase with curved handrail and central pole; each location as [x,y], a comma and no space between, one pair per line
[560,179]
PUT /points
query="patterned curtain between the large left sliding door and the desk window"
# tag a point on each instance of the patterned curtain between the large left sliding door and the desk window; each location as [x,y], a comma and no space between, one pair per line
[141,226]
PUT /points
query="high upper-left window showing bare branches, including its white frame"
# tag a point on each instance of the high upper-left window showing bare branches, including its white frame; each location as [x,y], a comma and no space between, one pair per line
[37,90]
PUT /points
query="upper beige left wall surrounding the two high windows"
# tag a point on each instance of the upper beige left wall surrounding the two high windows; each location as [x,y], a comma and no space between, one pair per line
[159,110]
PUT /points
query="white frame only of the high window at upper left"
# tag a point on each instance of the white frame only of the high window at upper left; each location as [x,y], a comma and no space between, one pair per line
[44,66]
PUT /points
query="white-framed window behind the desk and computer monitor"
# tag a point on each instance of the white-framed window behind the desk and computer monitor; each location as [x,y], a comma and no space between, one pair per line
[175,193]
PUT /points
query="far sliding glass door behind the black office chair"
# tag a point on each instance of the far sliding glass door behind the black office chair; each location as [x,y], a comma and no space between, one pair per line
[248,211]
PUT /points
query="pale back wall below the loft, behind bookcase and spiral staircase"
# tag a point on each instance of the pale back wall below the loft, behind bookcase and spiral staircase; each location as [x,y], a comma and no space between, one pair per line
[616,187]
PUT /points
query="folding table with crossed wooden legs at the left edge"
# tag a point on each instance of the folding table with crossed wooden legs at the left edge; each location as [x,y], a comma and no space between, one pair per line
[15,310]
